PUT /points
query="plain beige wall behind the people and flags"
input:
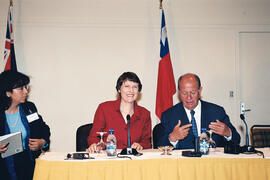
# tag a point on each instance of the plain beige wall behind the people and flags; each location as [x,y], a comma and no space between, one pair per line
[74,52]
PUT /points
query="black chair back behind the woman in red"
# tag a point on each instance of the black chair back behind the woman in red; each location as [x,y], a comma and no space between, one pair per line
[81,137]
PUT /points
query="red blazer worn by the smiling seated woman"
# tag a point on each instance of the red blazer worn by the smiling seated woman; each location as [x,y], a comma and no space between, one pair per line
[108,116]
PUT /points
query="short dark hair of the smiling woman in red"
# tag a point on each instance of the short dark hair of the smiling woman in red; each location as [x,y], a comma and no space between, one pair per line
[128,76]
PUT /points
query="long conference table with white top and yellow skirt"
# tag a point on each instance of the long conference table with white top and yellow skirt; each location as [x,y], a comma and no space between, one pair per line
[153,165]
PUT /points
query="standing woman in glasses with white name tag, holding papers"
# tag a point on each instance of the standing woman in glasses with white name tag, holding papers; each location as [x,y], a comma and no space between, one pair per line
[19,115]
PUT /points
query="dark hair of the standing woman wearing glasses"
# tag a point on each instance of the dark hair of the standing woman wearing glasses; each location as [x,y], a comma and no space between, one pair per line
[10,80]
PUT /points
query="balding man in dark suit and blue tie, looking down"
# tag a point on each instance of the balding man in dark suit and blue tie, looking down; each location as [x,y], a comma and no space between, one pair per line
[185,120]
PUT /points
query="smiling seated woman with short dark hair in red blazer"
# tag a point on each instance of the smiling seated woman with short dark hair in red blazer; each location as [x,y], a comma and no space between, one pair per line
[112,115]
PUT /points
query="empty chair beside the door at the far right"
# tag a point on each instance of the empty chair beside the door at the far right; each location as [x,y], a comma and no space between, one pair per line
[260,136]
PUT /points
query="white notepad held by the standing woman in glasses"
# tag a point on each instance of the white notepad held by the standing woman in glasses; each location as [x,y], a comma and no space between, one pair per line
[15,143]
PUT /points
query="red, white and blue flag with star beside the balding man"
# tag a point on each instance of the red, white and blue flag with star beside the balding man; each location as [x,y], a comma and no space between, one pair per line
[165,84]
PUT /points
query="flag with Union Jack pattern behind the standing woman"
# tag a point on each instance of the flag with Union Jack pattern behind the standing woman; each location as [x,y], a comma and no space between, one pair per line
[9,53]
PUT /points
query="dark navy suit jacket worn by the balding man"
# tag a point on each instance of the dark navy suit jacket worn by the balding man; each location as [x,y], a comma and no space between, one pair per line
[209,113]
